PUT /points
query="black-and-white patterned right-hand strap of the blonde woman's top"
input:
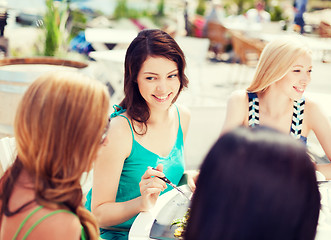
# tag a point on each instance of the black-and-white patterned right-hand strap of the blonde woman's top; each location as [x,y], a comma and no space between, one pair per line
[297,118]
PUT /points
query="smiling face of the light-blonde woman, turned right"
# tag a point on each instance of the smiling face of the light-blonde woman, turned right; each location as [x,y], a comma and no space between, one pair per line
[294,83]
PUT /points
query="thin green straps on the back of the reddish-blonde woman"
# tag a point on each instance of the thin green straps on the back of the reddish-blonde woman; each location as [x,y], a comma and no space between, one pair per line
[83,234]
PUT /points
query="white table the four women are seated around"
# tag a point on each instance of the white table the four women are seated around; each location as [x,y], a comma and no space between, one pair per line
[142,225]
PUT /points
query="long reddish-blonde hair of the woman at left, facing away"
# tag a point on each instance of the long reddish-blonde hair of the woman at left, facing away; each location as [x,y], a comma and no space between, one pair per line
[58,127]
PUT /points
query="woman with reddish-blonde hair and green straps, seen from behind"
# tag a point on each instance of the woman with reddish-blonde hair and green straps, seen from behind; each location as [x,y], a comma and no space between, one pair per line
[60,126]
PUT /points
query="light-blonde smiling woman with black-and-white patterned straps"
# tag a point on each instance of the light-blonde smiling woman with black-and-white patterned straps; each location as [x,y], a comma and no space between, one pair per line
[275,98]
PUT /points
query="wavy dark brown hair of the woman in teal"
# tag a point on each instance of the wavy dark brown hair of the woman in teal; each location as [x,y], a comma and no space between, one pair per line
[154,43]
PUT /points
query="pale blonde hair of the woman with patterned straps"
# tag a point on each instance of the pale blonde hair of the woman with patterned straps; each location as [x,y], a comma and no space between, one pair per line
[276,60]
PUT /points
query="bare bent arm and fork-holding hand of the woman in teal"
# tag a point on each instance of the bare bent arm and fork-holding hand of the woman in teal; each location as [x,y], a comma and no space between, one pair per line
[107,172]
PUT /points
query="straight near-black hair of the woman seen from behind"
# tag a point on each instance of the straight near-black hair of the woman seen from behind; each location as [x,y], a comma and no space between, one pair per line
[255,184]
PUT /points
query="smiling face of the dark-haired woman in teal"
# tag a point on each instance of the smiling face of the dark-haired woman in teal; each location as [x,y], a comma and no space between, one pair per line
[158,81]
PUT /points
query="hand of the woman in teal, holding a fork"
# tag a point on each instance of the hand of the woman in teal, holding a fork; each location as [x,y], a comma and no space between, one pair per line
[151,186]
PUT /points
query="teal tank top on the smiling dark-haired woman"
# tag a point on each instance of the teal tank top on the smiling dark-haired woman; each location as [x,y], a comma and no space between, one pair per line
[134,167]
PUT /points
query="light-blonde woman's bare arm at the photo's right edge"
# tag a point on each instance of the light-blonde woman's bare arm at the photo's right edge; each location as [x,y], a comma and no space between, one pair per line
[321,126]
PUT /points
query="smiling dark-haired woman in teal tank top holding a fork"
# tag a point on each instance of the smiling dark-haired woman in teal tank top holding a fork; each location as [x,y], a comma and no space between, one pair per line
[147,129]
